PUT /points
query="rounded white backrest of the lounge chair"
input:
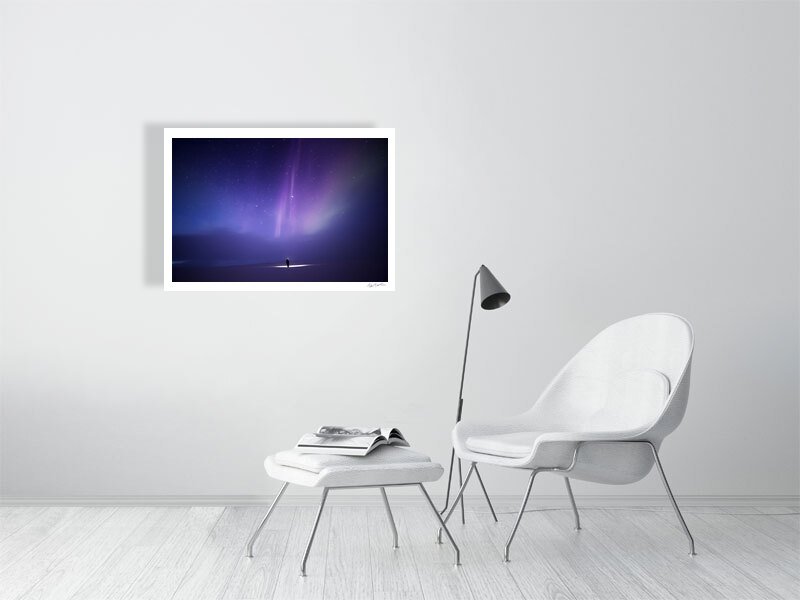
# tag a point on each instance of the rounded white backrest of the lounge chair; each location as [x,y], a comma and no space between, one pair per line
[634,375]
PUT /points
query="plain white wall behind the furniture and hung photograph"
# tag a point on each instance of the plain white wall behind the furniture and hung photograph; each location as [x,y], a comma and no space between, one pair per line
[603,159]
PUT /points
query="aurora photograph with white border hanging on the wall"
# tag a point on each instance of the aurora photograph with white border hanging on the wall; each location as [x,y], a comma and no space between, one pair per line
[279,209]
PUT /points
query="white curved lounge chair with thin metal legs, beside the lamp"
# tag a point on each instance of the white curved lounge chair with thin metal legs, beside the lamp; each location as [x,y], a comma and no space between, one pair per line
[601,419]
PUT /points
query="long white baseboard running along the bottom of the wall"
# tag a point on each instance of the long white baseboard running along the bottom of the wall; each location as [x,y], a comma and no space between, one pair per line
[350,498]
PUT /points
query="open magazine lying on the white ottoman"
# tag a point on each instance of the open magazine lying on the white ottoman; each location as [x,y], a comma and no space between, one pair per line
[349,441]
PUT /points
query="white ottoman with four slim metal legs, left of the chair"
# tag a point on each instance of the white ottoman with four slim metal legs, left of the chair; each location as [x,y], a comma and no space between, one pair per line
[386,466]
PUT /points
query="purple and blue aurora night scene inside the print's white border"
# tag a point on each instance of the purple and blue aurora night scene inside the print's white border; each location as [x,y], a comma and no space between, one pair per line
[242,202]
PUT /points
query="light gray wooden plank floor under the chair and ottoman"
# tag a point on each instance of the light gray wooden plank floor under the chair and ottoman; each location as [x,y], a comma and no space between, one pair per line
[197,552]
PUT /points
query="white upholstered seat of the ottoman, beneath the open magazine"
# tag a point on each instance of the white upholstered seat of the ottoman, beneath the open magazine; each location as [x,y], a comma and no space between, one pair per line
[385,465]
